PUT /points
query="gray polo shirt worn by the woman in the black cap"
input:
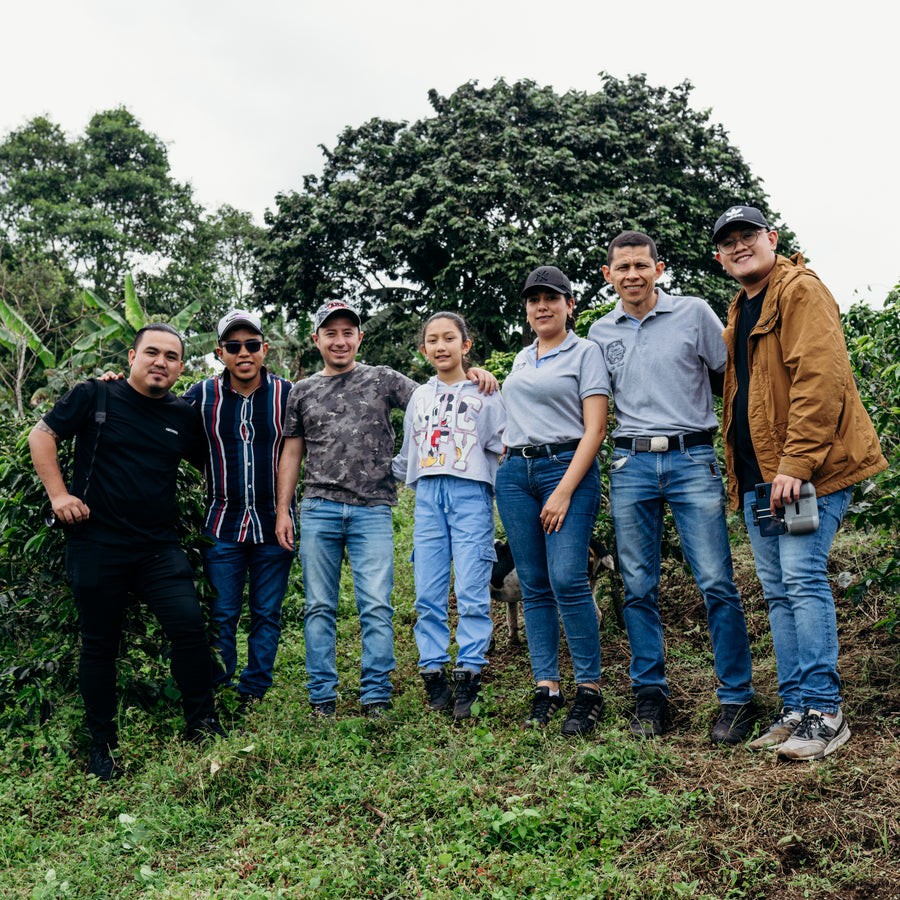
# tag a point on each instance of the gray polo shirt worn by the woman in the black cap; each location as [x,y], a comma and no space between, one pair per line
[543,397]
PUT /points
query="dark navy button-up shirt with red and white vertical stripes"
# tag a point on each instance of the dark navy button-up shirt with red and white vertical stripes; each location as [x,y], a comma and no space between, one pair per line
[244,438]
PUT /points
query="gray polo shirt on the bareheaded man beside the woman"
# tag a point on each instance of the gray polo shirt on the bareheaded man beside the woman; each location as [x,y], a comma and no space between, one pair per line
[658,367]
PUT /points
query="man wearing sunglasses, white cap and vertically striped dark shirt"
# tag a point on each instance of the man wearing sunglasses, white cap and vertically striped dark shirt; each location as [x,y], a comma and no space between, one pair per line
[243,417]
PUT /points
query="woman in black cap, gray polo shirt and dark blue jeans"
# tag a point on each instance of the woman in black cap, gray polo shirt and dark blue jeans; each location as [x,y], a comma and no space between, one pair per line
[548,495]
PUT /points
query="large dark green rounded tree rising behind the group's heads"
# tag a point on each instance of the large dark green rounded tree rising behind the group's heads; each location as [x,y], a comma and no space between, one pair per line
[455,209]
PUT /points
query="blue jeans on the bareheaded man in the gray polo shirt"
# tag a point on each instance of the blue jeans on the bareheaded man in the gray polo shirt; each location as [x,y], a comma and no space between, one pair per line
[640,484]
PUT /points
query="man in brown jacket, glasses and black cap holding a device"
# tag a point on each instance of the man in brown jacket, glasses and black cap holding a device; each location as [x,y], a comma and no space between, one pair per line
[792,414]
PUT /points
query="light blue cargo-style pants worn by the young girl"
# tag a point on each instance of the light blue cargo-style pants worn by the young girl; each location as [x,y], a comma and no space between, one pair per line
[454,521]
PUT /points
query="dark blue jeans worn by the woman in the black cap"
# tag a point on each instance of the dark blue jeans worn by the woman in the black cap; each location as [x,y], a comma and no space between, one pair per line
[552,568]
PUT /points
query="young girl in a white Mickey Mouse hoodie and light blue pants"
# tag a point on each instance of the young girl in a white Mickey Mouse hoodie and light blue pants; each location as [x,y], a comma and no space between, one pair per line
[451,442]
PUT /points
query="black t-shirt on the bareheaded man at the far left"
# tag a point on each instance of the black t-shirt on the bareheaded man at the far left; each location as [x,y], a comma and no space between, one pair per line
[131,491]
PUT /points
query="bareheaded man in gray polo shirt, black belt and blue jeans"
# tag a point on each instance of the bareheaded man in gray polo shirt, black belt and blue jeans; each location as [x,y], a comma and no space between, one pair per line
[659,351]
